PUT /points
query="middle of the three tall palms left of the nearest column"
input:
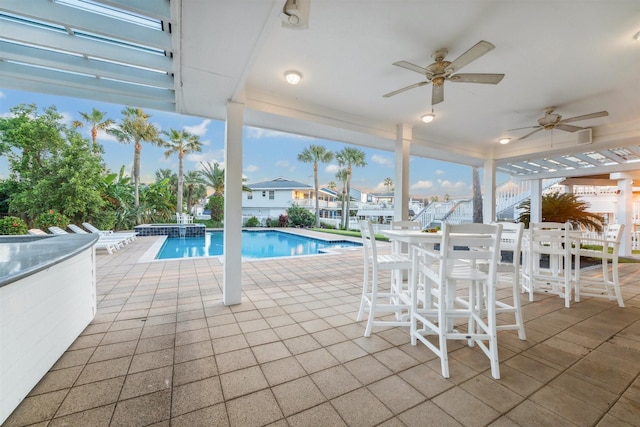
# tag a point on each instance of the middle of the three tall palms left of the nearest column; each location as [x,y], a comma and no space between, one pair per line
[135,127]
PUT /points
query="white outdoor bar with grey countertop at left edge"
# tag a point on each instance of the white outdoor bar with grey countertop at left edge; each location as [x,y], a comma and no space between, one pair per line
[47,298]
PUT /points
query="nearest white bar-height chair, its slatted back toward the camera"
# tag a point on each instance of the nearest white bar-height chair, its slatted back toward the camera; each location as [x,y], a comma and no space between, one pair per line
[448,285]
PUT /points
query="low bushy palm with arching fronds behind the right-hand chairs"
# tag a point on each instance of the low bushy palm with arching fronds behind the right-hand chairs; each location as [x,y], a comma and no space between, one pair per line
[562,207]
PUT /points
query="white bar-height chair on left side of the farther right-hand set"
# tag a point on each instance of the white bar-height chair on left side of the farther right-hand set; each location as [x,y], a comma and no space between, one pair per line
[552,240]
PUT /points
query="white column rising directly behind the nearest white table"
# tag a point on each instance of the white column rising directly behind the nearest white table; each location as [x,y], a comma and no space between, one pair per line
[401,182]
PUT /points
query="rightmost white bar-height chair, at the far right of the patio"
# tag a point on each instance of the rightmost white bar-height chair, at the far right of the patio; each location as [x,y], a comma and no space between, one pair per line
[608,285]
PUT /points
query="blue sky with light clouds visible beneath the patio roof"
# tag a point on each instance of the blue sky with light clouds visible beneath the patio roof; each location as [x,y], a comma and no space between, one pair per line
[266,154]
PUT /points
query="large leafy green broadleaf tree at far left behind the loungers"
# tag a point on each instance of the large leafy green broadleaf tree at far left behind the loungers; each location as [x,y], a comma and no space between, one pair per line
[52,166]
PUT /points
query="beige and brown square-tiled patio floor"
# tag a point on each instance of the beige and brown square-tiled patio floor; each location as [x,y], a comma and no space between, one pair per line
[164,351]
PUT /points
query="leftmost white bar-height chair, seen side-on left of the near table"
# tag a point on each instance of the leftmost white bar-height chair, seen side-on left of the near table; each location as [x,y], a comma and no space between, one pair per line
[375,262]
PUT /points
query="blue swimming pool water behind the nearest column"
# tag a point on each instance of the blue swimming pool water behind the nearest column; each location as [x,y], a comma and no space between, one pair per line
[255,244]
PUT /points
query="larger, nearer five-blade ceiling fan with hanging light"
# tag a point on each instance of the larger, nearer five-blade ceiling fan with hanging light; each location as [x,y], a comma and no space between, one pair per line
[441,71]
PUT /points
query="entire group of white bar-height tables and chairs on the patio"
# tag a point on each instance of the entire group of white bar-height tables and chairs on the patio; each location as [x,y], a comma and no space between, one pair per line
[443,285]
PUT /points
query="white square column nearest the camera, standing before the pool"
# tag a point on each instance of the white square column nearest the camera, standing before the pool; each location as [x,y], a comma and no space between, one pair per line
[232,270]
